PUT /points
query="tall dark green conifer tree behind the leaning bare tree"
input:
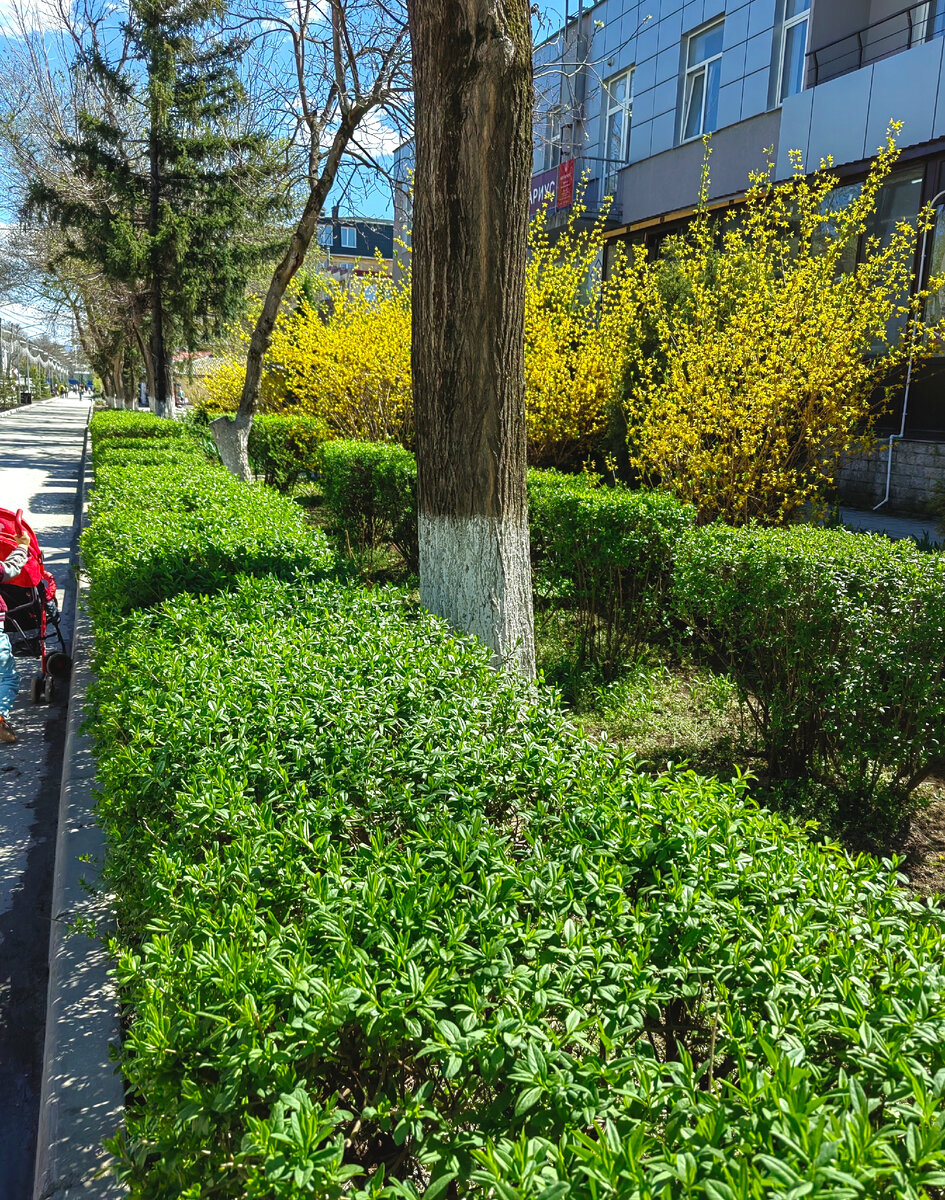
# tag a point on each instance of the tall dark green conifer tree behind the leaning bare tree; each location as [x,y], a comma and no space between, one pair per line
[164,191]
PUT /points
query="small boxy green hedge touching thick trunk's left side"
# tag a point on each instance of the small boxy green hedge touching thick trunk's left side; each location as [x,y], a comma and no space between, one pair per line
[370,490]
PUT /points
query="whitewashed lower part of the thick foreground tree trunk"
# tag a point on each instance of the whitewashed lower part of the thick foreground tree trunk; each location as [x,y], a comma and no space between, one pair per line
[477,574]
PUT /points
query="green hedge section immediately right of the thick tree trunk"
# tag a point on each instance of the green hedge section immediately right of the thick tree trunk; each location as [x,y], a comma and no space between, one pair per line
[607,555]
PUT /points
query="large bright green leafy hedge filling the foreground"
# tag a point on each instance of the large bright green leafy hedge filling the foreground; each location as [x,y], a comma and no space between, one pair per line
[388,928]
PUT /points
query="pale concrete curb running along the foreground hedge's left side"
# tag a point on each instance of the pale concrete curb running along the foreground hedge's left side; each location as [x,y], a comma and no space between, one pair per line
[82,1100]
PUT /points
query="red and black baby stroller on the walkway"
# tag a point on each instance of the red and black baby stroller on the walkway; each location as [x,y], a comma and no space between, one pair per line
[33,609]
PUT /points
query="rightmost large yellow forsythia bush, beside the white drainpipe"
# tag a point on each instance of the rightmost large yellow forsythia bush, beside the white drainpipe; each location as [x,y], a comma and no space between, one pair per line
[775,357]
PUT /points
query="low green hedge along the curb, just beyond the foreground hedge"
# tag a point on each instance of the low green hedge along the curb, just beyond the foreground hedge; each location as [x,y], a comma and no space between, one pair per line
[184,525]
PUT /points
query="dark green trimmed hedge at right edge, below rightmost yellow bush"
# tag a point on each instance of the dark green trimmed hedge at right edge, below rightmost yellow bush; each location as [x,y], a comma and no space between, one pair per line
[838,645]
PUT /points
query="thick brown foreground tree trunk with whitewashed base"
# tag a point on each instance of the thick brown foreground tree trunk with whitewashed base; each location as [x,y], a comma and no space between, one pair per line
[473,87]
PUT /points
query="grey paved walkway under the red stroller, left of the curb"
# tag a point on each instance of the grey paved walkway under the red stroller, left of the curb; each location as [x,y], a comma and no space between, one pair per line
[41,452]
